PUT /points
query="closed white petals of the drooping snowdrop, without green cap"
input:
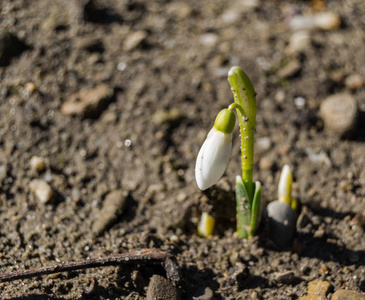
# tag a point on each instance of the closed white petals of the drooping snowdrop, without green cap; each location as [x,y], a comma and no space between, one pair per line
[213,158]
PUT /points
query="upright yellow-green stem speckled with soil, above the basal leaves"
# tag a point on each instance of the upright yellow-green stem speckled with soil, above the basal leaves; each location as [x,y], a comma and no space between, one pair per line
[245,96]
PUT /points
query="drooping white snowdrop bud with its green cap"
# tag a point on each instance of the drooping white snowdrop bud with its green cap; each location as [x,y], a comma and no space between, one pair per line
[214,155]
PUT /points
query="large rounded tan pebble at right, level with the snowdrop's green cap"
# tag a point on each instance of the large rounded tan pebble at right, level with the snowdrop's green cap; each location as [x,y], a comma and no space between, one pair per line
[339,113]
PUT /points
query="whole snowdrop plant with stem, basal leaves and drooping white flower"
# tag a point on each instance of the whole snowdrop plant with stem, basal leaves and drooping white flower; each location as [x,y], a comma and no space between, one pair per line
[214,155]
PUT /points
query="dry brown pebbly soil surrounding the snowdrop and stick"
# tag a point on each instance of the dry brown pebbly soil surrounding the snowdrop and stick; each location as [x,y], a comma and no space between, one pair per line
[116,98]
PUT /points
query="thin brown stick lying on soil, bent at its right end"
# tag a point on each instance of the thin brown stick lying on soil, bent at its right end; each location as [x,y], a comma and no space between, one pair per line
[148,256]
